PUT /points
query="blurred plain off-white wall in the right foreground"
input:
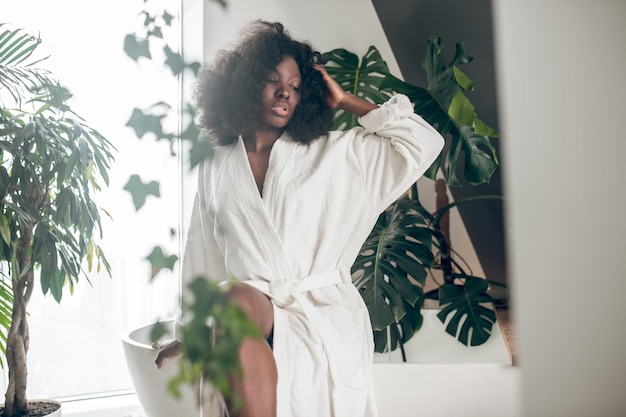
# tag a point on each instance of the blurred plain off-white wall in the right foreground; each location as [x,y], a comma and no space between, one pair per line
[561,69]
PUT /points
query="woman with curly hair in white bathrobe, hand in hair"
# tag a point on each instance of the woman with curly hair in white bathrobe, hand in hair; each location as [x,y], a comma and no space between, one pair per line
[285,205]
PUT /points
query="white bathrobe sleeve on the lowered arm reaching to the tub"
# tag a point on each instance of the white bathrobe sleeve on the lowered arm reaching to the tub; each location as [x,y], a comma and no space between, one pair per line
[202,257]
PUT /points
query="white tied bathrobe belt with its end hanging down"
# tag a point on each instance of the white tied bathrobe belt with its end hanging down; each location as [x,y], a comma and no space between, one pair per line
[285,292]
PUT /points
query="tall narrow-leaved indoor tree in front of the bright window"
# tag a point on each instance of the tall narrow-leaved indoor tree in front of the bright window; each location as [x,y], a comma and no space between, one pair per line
[51,163]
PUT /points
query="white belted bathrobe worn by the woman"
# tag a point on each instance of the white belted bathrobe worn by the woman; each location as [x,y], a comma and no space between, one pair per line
[297,242]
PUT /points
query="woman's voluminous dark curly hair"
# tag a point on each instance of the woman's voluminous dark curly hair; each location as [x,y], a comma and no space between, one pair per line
[228,92]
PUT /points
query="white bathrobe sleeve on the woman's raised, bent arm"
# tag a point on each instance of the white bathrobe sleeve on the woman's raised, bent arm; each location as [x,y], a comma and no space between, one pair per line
[410,145]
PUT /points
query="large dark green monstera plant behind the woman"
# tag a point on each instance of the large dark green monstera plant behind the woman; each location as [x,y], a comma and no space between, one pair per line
[397,258]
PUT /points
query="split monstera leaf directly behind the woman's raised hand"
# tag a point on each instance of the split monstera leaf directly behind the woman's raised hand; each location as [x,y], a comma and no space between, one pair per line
[361,79]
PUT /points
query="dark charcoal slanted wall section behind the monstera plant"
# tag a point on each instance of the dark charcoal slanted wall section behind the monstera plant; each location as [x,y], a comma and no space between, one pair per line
[408,24]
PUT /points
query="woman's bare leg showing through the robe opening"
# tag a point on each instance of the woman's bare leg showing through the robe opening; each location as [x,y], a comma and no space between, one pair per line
[257,386]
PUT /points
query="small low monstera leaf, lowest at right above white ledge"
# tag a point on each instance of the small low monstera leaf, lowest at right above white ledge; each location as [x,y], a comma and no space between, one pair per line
[465,302]
